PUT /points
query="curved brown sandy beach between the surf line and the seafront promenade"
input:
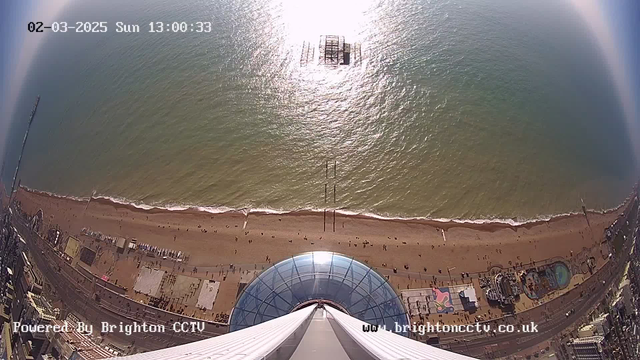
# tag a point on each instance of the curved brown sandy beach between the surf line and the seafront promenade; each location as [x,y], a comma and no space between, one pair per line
[212,239]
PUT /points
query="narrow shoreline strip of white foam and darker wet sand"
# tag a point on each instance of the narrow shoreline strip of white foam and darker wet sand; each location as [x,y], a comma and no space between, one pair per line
[442,223]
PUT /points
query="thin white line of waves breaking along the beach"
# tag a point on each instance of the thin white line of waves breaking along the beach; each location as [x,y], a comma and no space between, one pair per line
[118,201]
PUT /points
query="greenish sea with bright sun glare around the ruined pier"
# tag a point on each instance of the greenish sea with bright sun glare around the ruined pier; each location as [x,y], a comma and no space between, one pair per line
[461,109]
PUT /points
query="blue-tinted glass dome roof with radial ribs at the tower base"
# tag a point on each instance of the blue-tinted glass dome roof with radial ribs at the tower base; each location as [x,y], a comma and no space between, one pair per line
[319,275]
